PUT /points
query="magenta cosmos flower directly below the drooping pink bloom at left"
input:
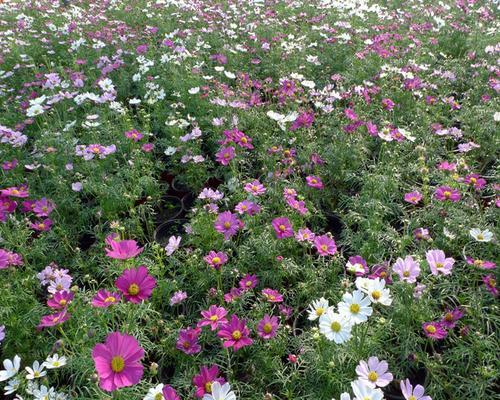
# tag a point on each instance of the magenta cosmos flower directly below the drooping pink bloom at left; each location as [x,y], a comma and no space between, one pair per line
[136,284]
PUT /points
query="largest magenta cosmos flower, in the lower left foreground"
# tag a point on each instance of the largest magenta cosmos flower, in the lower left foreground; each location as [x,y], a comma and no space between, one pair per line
[118,361]
